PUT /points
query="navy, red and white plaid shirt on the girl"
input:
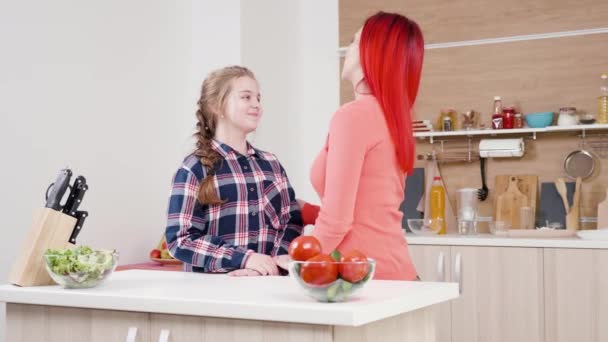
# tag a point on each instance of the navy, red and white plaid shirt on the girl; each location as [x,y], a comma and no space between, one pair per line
[260,213]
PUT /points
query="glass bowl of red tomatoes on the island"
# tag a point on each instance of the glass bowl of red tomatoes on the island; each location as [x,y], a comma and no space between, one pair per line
[328,277]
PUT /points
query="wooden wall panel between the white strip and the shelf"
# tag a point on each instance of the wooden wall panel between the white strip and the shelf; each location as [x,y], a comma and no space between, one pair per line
[539,75]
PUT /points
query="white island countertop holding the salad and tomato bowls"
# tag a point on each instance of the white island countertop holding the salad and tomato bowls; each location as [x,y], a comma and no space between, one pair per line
[218,295]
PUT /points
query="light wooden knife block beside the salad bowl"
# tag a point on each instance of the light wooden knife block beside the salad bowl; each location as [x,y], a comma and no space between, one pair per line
[50,229]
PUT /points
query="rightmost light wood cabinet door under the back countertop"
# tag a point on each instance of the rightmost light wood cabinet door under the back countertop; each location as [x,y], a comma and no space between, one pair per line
[576,297]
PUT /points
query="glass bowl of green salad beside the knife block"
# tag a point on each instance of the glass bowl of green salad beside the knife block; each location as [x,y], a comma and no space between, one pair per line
[81,267]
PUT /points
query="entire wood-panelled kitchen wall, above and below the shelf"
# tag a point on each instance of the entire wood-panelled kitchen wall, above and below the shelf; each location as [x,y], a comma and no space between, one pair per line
[538,75]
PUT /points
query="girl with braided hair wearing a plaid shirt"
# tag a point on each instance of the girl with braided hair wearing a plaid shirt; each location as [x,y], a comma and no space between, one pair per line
[231,206]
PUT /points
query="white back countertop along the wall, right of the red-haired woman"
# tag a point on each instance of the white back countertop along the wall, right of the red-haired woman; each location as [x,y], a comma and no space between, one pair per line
[490,240]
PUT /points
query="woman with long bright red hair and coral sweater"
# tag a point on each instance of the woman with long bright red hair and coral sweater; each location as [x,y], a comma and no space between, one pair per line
[360,173]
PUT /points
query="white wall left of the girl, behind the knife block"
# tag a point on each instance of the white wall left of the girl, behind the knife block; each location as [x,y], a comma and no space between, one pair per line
[109,88]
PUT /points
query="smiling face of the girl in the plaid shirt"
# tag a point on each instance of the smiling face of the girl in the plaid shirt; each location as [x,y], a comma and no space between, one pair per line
[243,107]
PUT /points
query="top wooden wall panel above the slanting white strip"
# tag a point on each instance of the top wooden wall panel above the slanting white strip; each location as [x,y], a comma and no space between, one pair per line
[457,20]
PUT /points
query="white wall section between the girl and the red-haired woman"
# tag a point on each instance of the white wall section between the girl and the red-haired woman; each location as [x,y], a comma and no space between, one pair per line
[292,47]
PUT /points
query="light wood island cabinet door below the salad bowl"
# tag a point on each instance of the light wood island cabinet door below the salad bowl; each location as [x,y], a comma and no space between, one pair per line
[26,323]
